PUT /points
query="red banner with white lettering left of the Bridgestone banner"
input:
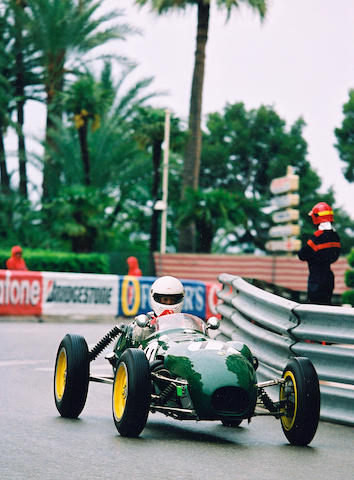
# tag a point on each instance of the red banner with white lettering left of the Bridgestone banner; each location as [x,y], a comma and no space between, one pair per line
[20,292]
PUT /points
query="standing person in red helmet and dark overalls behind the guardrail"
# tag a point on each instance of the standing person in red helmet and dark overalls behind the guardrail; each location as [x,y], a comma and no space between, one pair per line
[322,249]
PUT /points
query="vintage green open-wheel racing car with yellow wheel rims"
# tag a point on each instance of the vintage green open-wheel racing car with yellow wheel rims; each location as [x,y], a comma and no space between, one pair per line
[174,367]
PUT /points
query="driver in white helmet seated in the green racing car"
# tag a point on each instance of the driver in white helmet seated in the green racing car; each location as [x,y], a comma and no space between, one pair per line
[166,296]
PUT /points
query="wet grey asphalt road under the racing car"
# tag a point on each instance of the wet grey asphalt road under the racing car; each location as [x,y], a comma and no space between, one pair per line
[36,443]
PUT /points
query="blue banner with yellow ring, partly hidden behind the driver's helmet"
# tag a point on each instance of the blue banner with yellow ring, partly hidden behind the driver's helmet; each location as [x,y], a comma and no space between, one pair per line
[135,296]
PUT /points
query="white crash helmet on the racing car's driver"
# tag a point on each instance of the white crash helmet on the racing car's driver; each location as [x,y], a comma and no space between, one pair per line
[167,293]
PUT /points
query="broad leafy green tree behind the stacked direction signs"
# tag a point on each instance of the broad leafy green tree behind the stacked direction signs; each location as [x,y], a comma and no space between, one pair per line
[243,150]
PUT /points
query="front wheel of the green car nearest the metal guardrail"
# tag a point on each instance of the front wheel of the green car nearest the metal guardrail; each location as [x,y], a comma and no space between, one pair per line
[301,393]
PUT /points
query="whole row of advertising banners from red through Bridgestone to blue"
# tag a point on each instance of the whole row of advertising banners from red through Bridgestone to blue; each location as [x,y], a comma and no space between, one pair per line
[56,293]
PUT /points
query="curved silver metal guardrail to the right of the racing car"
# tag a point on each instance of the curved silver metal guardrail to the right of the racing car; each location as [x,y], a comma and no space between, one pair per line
[276,328]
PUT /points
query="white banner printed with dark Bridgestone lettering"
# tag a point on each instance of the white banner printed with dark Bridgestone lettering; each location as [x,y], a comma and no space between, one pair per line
[76,293]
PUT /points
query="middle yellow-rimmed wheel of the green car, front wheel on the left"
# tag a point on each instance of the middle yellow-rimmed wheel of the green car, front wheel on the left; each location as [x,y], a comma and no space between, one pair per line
[131,393]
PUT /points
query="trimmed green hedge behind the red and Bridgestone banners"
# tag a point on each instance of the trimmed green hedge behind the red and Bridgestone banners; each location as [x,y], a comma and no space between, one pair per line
[45,260]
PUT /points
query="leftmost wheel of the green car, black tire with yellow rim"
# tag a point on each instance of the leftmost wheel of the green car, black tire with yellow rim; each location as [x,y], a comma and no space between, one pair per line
[71,376]
